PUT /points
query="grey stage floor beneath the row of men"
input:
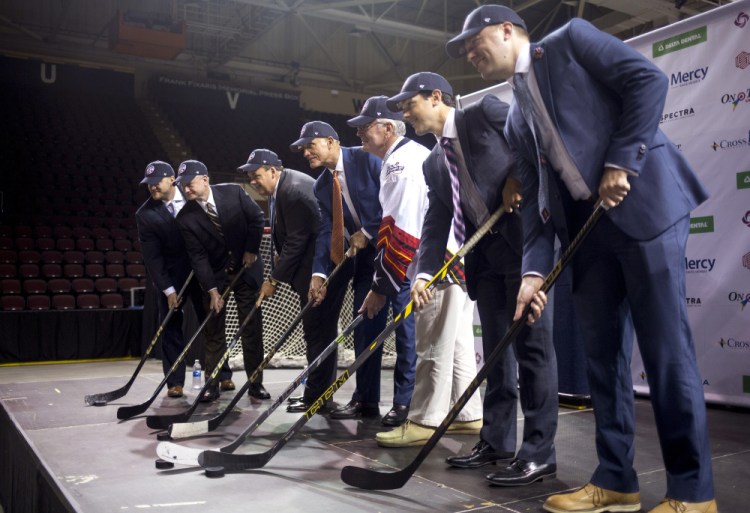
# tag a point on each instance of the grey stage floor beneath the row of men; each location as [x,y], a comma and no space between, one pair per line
[104,465]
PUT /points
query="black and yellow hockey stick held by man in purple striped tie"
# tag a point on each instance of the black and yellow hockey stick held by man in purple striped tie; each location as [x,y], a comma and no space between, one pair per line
[234,462]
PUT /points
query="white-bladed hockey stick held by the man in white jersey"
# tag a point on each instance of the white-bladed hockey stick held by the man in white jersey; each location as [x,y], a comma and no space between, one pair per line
[189,456]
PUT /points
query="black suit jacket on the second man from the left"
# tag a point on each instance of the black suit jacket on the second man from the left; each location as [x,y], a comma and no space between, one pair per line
[210,253]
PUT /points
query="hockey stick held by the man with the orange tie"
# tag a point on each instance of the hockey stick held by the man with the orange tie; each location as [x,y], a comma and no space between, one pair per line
[182,429]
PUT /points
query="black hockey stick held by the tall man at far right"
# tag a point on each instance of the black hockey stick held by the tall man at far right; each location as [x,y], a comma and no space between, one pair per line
[369,479]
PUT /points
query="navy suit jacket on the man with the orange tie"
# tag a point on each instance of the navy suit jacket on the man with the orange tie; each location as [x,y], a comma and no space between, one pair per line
[362,173]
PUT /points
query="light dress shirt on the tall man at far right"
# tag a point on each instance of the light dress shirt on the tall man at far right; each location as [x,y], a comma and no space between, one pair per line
[549,138]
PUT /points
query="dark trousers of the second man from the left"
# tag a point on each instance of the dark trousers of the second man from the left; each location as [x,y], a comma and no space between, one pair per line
[251,336]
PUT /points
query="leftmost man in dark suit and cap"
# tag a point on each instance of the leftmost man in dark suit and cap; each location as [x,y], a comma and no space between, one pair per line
[167,263]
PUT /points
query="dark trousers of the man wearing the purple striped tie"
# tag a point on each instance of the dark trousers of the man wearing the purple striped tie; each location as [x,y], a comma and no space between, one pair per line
[529,362]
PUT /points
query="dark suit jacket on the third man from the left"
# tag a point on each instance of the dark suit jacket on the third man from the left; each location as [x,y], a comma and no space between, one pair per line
[296,222]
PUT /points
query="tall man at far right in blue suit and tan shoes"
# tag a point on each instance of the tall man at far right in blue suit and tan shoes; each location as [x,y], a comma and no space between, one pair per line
[586,123]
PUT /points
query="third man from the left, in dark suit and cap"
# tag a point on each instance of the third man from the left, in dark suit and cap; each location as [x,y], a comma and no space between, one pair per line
[295,222]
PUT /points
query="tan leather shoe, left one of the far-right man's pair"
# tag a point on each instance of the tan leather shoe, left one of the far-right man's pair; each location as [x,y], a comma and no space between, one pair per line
[592,499]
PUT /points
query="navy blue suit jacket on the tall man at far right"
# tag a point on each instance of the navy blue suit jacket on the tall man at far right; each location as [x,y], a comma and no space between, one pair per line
[606,100]
